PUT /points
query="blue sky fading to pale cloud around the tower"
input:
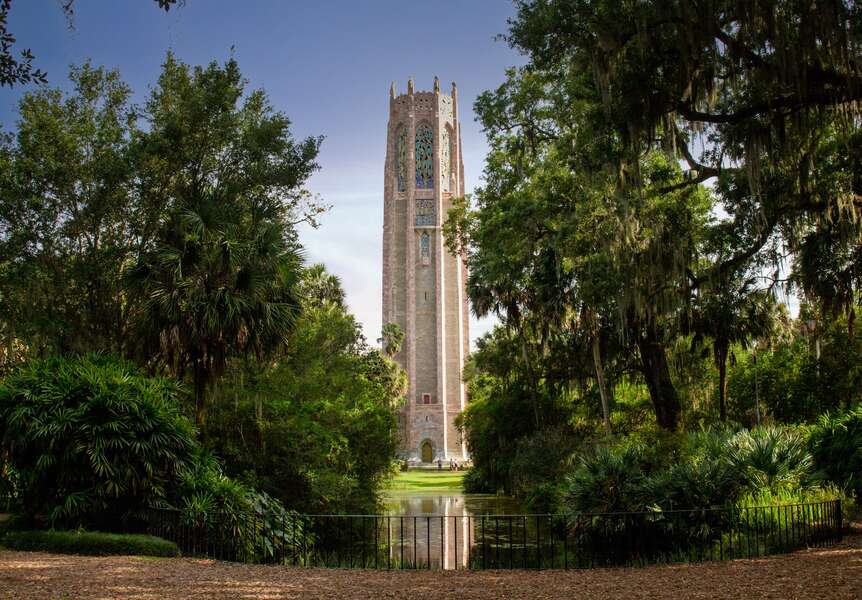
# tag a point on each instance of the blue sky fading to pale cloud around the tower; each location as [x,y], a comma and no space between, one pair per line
[328,65]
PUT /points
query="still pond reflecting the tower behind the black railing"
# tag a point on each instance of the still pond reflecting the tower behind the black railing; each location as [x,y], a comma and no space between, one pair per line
[440,529]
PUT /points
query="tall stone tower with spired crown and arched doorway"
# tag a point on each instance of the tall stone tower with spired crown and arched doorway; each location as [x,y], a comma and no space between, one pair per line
[424,287]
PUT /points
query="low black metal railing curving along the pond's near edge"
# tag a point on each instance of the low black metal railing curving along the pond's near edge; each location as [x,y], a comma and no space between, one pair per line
[538,541]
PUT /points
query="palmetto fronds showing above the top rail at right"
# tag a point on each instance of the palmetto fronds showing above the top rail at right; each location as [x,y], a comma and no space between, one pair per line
[689,471]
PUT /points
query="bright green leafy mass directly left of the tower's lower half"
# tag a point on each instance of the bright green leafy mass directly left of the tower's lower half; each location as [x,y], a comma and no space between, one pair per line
[316,427]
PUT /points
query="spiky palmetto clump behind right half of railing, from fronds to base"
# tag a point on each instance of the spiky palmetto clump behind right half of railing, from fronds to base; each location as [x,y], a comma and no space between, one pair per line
[666,508]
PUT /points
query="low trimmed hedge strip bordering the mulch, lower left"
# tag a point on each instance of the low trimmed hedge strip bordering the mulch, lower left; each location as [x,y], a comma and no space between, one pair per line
[92,543]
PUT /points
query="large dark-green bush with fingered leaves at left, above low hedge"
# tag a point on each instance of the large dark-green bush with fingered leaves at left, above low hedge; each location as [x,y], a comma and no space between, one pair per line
[92,443]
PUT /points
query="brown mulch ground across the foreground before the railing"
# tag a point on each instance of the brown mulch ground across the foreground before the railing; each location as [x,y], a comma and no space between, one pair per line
[817,573]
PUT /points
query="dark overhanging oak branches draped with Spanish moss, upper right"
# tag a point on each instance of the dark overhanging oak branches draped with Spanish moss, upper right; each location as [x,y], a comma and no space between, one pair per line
[760,98]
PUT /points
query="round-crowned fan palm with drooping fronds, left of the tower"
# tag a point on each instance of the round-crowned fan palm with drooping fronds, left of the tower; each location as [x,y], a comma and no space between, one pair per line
[219,284]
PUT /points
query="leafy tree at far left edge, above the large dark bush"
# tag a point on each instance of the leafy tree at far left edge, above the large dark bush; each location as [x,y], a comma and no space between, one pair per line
[68,220]
